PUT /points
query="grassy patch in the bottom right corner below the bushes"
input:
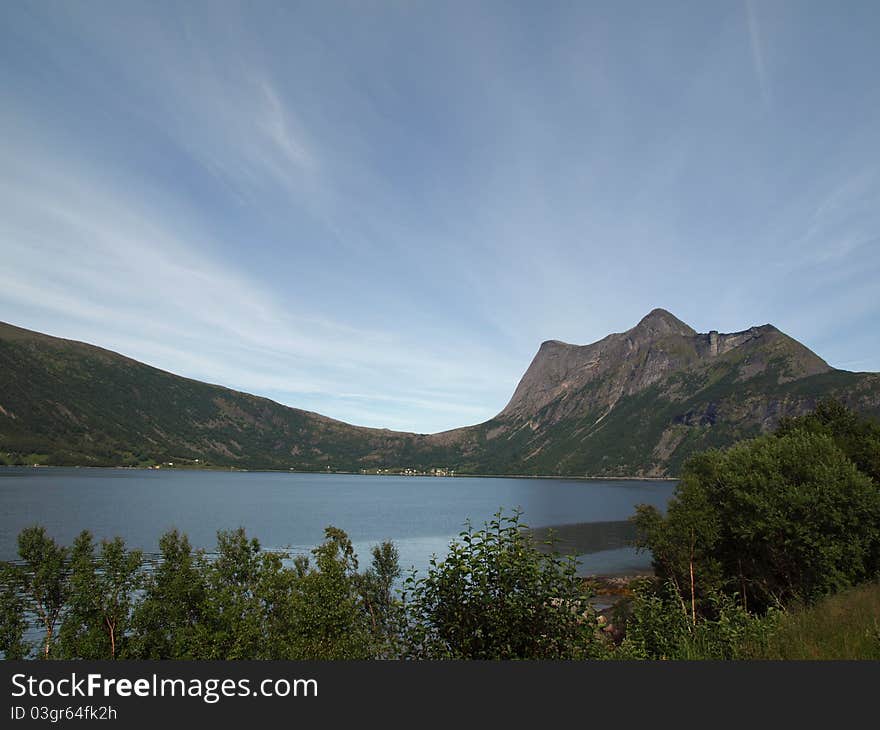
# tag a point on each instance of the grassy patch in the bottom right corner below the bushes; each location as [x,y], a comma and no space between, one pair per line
[843,626]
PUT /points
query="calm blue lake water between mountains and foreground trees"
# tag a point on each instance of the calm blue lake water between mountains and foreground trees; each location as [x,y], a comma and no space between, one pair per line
[421,514]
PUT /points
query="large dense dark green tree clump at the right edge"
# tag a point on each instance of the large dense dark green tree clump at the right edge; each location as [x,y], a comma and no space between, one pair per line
[777,519]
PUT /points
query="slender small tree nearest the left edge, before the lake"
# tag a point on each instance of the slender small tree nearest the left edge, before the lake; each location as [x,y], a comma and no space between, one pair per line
[44,580]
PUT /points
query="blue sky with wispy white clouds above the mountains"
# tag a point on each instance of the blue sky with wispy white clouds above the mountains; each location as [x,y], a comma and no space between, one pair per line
[379,210]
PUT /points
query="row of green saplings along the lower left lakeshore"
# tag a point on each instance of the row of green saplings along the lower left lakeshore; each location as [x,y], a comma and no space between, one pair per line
[239,603]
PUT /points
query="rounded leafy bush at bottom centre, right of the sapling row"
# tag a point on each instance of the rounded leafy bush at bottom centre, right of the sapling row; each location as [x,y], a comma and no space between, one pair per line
[497,596]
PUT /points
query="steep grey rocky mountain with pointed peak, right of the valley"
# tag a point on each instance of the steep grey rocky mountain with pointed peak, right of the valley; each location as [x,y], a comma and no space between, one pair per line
[640,402]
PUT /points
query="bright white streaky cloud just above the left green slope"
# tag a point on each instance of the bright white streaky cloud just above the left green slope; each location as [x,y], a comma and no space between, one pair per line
[121,273]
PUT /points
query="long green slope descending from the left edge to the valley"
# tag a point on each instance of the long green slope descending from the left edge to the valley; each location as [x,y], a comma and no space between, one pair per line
[70,403]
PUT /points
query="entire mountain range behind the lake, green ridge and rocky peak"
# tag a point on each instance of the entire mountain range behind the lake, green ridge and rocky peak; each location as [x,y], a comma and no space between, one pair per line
[633,403]
